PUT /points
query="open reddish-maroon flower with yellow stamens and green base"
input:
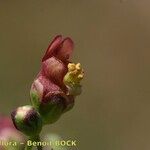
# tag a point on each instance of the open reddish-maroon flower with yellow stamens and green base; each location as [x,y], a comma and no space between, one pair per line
[56,85]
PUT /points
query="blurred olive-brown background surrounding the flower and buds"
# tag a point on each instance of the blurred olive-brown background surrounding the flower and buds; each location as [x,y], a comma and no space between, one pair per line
[112,41]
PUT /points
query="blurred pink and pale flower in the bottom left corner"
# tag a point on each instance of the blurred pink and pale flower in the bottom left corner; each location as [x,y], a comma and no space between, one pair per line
[9,134]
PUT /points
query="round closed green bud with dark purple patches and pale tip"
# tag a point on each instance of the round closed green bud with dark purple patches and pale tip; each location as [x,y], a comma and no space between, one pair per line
[27,120]
